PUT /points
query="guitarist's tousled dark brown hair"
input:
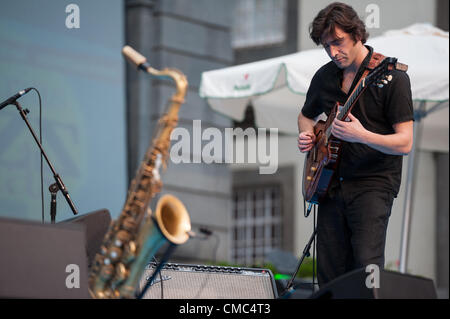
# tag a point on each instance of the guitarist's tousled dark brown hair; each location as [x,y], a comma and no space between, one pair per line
[341,15]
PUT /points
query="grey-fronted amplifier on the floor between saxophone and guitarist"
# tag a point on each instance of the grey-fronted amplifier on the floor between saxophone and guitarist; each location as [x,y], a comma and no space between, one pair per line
[182,281]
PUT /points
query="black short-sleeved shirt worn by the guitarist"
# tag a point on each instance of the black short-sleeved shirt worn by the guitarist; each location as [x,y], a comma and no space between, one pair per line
[377,110]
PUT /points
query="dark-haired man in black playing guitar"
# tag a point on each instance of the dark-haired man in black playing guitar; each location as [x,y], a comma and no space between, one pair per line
[353,215]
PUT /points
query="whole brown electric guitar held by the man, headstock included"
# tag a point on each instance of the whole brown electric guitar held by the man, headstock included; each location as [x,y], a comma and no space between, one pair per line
[321,161]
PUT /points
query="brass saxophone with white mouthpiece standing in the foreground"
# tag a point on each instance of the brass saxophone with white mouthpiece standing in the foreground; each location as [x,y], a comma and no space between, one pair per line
[137,234]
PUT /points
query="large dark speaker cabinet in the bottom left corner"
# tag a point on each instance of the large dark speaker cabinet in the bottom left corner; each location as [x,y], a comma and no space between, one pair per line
[42,260]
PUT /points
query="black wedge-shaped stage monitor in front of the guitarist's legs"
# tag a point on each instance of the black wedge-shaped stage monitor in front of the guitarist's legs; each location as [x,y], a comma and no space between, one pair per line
[392,285]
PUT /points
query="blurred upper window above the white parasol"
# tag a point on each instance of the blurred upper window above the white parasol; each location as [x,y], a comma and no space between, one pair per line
[259,22]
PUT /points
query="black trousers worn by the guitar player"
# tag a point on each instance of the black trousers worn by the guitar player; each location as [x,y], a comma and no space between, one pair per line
[351,230]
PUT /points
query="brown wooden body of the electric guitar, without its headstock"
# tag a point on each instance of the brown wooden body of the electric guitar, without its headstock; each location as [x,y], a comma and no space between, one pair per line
[321,161]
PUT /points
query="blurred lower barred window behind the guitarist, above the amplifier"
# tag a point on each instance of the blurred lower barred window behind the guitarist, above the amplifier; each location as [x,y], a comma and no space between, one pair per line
[256,224]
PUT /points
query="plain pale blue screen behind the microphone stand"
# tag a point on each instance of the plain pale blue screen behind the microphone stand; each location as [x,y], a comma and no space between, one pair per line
[76,64]
